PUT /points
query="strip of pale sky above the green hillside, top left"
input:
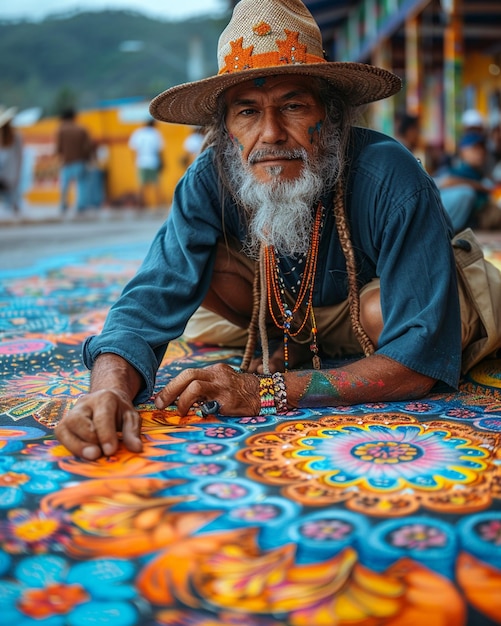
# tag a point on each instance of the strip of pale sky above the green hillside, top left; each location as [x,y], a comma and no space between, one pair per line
[166,9]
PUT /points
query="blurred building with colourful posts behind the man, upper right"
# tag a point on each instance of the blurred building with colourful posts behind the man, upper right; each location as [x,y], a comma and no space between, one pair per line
[448,53]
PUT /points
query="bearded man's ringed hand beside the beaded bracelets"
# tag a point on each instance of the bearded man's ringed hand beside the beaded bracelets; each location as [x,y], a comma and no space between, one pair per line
[237,394]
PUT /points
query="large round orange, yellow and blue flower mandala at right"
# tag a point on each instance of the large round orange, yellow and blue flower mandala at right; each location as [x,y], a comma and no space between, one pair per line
[354,462]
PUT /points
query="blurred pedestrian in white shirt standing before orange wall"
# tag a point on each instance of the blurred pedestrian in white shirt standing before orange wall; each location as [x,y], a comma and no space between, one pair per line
[147,143]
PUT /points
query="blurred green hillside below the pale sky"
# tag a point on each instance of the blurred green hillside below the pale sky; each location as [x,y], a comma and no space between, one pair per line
[94,56]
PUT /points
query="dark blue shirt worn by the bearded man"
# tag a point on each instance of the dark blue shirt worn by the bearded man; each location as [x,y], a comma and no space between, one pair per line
[400,234]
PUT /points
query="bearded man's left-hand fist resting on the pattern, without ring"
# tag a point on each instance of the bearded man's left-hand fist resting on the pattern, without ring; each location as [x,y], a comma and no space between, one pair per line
[89,430]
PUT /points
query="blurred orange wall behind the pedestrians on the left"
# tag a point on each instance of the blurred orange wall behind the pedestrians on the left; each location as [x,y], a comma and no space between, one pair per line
[107,127]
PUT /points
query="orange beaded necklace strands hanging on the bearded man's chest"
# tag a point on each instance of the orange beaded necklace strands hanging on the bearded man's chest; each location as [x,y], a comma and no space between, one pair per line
[275,287]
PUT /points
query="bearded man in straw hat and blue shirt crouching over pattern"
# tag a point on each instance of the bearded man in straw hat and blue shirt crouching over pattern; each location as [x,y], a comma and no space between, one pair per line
[325,240]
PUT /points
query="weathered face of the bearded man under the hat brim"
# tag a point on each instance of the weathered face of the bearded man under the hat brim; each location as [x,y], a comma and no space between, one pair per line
[271,120]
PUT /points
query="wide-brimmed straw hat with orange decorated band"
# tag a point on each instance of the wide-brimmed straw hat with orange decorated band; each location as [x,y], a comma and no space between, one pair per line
[265,38]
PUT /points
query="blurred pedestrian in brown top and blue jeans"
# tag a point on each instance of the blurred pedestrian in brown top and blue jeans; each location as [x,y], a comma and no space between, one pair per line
[74,148]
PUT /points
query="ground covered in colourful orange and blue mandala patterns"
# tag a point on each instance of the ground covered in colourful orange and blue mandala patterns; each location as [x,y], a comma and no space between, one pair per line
[384,514]
